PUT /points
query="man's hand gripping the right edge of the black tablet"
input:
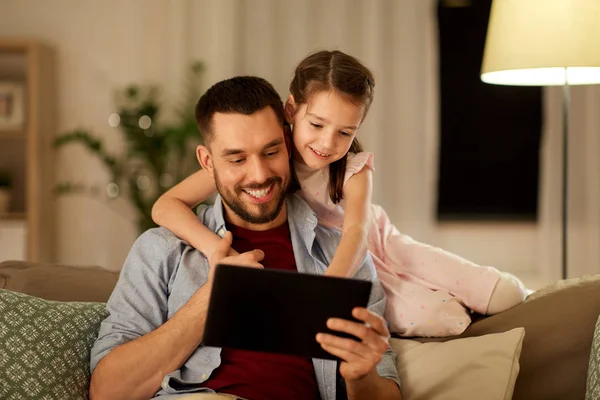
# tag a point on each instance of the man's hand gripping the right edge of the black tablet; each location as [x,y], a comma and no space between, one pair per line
[359,358]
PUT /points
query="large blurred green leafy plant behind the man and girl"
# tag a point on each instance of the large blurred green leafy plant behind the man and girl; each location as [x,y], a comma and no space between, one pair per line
[157,155]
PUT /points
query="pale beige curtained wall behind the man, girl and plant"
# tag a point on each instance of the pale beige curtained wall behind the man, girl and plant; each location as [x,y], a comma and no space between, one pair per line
[102,45]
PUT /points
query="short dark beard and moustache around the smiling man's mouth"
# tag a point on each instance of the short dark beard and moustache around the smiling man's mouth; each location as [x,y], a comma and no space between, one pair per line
[264,215]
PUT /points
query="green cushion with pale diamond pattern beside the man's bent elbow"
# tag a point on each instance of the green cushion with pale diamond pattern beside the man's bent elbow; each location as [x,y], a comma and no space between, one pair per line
[45,346]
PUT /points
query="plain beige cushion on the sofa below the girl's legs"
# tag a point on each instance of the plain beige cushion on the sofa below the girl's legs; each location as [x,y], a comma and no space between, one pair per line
[484,367]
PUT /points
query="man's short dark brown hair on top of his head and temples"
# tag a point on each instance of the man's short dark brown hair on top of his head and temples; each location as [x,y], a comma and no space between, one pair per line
[240,95]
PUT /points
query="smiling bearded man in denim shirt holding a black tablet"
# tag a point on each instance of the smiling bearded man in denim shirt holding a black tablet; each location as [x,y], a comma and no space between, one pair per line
[150,343]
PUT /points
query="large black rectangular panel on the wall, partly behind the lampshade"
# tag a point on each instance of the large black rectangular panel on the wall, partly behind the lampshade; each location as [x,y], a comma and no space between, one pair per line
[490,134]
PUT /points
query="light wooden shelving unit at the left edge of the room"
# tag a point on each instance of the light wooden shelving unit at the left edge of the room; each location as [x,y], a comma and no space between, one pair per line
[27,150]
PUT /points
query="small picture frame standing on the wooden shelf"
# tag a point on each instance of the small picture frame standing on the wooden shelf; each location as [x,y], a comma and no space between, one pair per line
[12,106]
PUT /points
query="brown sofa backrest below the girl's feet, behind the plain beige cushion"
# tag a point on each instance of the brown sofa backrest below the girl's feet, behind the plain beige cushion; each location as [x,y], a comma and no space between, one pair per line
[559,321]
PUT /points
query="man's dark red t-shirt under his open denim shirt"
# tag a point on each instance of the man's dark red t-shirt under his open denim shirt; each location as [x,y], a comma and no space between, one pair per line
[265,376]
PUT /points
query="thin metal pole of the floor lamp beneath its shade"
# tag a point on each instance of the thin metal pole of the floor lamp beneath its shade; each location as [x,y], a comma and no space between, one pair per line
[565,159]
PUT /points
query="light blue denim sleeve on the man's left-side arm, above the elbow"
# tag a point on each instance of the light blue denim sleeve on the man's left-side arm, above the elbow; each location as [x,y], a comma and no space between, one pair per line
[138,304]
